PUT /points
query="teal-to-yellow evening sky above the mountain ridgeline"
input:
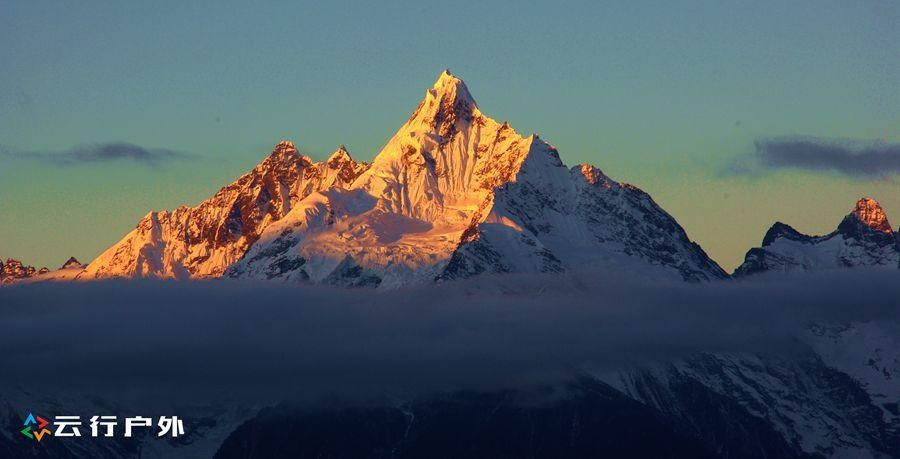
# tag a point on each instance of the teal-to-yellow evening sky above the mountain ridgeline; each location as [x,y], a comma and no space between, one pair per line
[674,97]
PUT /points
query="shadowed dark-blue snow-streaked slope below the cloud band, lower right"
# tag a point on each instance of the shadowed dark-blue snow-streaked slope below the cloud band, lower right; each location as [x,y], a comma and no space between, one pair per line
[837,396]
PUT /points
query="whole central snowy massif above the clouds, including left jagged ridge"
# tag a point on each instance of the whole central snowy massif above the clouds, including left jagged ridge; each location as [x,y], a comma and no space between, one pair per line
[452,194]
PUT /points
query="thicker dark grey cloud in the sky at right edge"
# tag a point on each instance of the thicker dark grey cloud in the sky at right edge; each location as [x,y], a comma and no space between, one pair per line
[855,158]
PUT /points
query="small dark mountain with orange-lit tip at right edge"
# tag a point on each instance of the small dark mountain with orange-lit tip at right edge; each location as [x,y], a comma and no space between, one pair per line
[863,238]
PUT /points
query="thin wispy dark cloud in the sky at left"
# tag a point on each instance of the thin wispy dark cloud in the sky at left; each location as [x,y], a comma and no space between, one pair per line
[101,153]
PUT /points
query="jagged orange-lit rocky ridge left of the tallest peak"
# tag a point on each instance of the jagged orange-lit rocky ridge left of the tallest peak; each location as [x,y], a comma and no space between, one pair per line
[202,241]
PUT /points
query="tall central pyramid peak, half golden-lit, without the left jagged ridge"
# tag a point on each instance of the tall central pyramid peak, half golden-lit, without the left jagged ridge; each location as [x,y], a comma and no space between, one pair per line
[454,194]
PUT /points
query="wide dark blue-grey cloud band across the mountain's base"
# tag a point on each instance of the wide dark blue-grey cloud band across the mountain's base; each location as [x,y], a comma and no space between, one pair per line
[277,340]
